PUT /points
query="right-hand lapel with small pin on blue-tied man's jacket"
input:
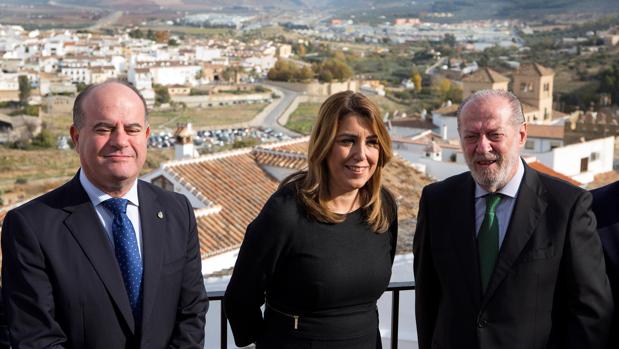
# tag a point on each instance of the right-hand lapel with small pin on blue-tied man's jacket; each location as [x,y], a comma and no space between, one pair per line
[153,220]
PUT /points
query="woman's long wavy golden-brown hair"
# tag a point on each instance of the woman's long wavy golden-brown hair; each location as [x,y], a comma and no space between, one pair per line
[313,184]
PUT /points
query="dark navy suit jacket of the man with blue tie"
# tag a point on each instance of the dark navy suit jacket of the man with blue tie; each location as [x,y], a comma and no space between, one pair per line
[63,287]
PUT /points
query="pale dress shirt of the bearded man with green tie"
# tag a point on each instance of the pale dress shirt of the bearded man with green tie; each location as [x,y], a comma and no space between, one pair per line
[505,208]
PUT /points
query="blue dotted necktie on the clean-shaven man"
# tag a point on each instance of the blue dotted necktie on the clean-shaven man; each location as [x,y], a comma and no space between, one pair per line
[127,253]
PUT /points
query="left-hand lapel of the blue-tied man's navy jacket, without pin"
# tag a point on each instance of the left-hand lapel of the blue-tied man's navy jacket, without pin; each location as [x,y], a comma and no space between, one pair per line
[83,223]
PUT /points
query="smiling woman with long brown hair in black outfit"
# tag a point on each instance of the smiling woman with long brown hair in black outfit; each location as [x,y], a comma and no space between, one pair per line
[319,254]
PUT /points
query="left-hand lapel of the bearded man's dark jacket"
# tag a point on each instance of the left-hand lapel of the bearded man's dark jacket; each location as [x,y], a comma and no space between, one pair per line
[464,238]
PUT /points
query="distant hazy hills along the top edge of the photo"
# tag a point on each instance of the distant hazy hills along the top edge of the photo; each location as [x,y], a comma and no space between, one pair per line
[460,8]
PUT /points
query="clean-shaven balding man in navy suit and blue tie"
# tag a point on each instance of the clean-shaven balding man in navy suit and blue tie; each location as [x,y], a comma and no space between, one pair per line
[106,260]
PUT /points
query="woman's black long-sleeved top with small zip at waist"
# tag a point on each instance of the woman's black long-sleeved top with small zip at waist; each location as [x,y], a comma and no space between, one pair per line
[320,281]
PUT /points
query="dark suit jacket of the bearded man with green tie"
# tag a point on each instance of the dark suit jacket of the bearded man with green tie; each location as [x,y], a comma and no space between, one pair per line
[548,289]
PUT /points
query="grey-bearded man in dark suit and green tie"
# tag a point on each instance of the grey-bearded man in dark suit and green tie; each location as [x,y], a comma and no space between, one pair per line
[506,257]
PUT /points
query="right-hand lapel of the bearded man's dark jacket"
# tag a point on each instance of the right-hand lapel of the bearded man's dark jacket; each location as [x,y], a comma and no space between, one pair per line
[530,206]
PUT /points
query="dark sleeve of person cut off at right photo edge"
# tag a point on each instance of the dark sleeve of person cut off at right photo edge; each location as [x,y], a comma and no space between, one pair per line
[606,209]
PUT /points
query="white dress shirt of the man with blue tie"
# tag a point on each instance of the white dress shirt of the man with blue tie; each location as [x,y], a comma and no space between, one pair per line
[106,217]
